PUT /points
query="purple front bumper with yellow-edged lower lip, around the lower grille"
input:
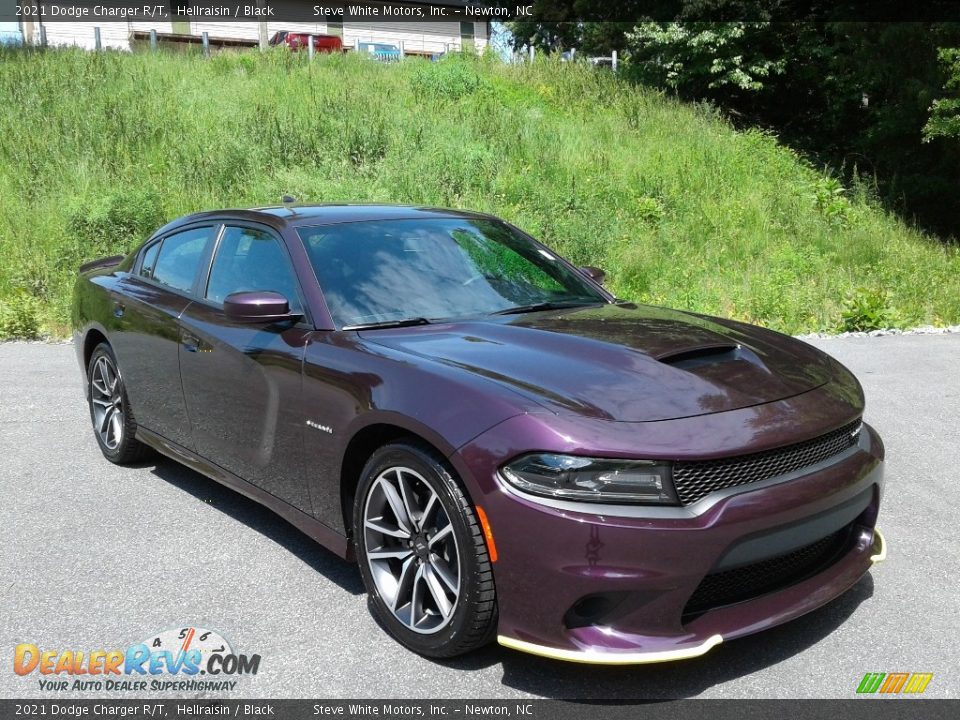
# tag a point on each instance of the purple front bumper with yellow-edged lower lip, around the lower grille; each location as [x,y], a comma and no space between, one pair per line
[552,558]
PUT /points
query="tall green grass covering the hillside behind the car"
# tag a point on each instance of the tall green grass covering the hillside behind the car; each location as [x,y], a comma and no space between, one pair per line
[100,148]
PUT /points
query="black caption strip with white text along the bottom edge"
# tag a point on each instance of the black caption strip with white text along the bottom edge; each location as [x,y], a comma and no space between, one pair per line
[862,709]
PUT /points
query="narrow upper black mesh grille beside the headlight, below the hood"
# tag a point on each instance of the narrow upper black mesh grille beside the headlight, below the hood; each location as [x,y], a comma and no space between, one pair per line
[697,479]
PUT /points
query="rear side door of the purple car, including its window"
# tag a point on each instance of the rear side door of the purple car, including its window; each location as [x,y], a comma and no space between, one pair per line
[147,304]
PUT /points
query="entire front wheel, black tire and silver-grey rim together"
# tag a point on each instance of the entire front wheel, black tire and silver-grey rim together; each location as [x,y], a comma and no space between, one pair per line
[436,551]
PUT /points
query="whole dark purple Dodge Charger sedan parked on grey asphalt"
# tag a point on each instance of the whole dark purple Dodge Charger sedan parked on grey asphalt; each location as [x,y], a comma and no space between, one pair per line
[506,449]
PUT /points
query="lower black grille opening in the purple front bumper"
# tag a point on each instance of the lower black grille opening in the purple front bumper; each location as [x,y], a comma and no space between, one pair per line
[750,581]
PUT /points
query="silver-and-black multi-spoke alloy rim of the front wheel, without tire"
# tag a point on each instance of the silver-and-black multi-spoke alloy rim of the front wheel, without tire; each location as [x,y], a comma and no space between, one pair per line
[411,550]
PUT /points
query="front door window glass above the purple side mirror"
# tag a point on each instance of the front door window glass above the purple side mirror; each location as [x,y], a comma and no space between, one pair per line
[249,260]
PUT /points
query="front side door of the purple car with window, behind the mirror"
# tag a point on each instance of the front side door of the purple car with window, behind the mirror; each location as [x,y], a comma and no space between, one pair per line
[242,381]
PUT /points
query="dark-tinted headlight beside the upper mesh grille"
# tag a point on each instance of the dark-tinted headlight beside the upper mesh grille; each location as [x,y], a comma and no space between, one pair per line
[592,479]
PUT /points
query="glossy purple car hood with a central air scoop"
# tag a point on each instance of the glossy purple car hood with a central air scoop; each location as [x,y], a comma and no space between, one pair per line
[625,363]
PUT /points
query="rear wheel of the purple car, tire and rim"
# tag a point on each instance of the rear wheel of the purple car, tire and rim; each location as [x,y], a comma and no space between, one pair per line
[114,426]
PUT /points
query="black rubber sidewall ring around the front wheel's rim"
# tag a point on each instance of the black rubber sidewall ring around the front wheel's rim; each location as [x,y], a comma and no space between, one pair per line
[445,485]
